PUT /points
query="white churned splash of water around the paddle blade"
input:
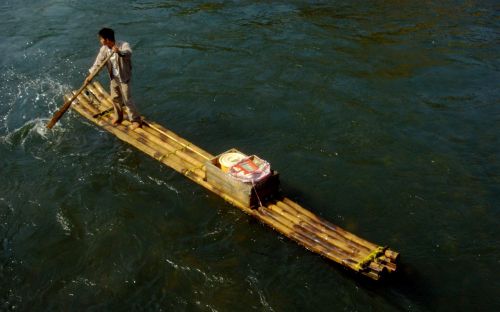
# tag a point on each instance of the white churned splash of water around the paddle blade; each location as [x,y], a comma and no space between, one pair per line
[27,102]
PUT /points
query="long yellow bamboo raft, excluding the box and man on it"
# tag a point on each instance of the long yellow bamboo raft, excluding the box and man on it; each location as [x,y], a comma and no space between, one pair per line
[279,212]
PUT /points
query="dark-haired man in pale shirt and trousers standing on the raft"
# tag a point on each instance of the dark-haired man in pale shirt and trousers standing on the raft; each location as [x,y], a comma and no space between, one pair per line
[120,71]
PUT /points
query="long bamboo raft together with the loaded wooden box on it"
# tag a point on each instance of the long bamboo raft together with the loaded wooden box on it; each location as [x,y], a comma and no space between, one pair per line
[247,182]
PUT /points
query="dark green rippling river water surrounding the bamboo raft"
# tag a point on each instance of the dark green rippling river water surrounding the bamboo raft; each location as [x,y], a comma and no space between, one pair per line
[382,117]
